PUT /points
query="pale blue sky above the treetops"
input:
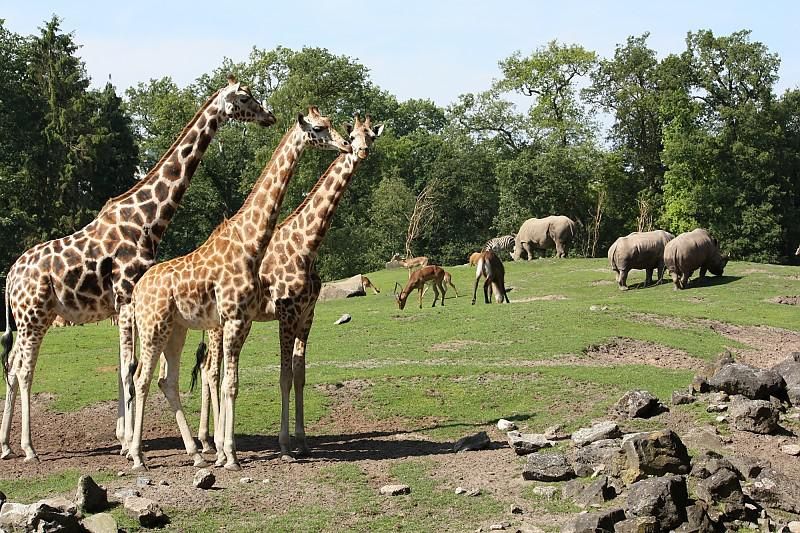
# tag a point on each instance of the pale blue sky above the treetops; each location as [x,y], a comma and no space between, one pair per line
[414,49]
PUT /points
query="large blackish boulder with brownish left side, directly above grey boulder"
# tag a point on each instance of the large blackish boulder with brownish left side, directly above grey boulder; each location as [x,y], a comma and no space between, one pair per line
[654,453]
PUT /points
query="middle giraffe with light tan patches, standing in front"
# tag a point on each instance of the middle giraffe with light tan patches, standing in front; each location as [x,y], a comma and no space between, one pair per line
[217,285]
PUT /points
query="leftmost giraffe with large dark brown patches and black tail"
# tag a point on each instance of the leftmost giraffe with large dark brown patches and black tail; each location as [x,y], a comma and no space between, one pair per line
[89,275]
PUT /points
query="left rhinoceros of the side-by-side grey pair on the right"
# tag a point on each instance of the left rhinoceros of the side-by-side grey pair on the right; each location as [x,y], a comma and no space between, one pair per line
[642,250]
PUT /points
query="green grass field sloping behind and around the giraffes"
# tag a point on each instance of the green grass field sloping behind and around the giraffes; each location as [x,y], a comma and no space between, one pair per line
[439,373]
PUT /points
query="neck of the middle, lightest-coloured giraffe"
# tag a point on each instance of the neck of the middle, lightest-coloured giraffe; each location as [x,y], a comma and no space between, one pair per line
[255,221]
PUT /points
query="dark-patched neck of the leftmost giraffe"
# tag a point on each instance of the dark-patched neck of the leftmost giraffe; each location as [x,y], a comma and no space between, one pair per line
[153,201]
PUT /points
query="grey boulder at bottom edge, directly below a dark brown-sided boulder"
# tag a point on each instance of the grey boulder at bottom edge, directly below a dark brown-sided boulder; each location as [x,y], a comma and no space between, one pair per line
[662,497]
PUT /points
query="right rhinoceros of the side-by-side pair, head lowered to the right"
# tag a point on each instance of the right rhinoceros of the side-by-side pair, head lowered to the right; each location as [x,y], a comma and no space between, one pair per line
[692,250]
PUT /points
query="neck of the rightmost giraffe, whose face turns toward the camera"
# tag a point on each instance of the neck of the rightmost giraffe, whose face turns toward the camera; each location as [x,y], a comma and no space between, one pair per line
[314,215]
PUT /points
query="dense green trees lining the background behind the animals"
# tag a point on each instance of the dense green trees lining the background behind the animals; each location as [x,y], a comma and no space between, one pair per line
[693,139]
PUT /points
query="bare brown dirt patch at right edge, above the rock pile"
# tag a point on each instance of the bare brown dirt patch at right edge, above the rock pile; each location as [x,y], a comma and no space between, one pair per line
[768,345]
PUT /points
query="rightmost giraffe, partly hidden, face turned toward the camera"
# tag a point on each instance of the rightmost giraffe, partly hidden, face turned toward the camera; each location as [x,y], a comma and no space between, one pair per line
[291,286]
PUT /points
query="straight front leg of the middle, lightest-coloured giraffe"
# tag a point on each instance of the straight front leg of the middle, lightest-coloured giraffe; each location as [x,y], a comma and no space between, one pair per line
[234,334]
